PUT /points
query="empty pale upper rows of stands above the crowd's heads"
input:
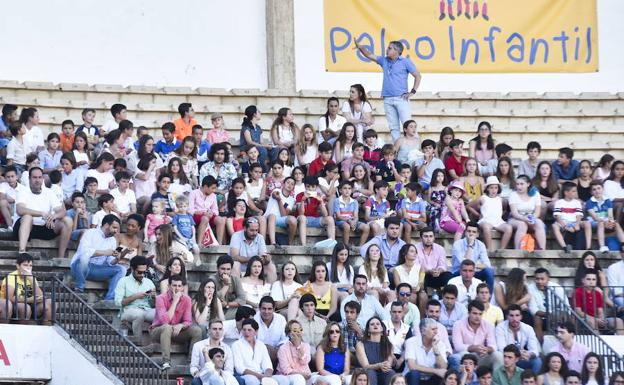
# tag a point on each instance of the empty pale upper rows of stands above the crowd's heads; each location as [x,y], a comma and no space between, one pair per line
[586,122]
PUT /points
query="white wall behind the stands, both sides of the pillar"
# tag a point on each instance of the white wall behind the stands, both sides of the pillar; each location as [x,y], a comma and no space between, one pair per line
[210,43]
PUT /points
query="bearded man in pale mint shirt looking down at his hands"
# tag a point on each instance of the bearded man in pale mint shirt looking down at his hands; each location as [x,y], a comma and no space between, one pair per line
[134,295]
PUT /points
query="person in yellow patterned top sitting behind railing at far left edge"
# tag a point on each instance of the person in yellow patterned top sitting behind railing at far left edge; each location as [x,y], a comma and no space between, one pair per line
[23,292]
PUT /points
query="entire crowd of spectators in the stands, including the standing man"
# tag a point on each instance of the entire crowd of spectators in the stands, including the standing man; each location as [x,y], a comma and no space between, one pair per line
[141,208]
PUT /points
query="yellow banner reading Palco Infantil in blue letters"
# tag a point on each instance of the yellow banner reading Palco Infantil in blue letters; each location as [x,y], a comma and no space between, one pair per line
[465,35]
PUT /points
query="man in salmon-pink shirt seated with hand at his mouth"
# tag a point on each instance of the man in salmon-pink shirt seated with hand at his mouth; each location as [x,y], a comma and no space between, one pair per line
[173,320]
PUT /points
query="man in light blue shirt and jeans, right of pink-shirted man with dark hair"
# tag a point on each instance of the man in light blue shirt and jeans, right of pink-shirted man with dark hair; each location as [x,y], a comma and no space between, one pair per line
[473,249]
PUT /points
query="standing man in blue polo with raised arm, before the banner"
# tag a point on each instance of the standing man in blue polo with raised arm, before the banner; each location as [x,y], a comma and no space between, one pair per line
[394,88]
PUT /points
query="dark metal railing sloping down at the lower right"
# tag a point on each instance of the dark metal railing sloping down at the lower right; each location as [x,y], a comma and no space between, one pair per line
[559,311]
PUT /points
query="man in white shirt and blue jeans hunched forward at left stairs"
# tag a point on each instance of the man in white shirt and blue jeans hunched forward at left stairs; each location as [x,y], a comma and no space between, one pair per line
[96,257]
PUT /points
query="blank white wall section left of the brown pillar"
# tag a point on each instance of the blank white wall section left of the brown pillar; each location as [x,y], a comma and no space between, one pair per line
[194,43]
